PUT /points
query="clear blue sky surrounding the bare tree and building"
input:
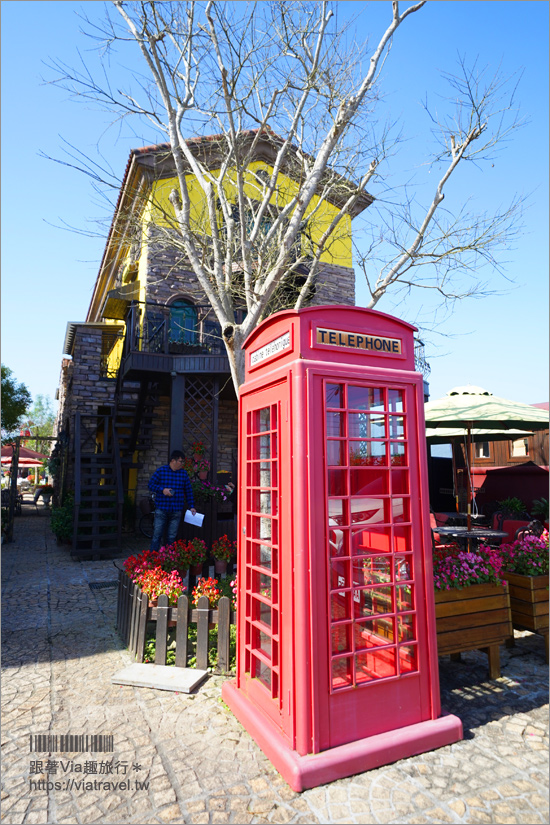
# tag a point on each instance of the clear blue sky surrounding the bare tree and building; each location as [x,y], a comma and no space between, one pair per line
[500,343]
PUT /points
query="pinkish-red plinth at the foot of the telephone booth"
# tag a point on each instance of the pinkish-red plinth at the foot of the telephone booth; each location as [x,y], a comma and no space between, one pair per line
[303,772]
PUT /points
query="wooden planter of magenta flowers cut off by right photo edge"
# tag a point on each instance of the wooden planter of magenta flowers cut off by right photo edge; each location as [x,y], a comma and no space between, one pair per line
[526,569]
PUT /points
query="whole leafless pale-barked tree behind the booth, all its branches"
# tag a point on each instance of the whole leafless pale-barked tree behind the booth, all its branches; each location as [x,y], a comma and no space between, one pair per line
[278,71]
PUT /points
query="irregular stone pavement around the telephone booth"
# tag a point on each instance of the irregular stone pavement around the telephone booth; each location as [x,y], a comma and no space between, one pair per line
[60,649]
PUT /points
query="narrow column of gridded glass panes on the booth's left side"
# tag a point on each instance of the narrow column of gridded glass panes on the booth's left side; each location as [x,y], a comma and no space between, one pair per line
[262,548]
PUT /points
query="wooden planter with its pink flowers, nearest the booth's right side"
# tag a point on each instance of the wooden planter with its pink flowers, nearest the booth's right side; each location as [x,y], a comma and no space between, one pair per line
[472,602]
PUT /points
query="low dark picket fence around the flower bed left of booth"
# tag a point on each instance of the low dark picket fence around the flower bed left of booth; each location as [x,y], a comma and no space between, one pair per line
[134,613]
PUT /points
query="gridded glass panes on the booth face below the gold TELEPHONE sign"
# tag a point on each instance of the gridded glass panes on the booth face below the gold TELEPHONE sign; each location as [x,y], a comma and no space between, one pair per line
[369,544]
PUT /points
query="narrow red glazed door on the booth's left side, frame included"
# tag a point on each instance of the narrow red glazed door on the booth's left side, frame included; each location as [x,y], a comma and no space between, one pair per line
[264,566]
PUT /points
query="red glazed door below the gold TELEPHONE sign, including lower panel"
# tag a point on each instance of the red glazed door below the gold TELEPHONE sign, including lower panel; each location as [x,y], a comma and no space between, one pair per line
[377,657]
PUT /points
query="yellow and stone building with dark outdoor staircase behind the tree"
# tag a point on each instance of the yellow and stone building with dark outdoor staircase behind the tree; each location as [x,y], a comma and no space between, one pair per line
[149,361]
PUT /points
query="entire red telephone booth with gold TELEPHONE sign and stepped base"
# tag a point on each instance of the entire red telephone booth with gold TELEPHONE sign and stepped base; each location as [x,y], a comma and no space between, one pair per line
[337,667]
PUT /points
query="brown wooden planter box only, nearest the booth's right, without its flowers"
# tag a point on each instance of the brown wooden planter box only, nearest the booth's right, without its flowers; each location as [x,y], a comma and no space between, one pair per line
[474,617]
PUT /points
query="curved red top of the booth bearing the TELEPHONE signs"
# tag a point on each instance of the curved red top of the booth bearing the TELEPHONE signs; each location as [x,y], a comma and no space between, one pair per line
[343,334]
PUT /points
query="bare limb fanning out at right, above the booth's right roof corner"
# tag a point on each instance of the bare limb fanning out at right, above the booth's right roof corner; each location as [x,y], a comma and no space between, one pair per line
[428,247]
